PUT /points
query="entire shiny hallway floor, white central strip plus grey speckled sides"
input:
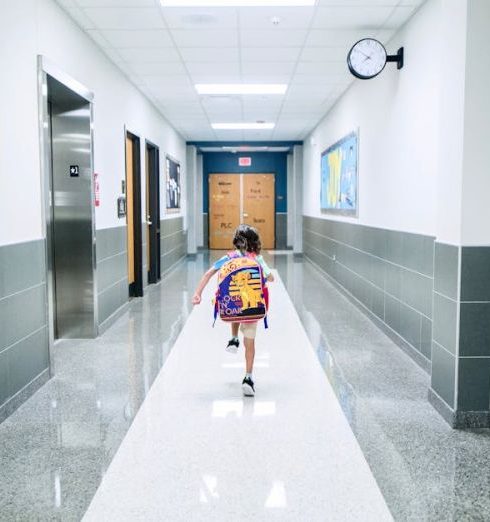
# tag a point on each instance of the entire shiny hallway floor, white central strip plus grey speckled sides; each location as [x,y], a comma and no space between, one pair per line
[150,419]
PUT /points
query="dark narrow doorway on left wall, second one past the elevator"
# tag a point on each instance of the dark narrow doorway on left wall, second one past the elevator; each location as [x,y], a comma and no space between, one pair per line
[153,211]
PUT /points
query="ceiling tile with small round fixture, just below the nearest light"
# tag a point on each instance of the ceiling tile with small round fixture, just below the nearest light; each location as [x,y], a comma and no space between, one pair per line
[283,17]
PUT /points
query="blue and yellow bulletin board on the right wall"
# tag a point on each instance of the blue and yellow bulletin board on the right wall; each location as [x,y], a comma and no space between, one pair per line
[339,164]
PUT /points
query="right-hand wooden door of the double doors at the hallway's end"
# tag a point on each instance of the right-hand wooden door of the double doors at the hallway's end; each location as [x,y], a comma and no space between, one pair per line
[259,206]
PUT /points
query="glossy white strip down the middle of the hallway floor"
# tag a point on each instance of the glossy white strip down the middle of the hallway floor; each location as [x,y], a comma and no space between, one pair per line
[199,451]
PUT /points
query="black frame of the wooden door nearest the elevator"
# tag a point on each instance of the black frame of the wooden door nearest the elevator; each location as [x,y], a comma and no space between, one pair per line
[136,288]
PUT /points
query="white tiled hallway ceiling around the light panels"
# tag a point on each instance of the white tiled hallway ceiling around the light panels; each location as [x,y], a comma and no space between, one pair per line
[165,51]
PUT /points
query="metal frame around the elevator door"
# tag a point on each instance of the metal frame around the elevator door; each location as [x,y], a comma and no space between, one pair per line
[46,68]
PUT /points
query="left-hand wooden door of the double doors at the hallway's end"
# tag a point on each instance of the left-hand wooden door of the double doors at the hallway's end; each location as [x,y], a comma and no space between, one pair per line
[224,209]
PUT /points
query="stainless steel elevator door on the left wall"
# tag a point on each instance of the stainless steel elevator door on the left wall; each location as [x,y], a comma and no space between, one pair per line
[72,214]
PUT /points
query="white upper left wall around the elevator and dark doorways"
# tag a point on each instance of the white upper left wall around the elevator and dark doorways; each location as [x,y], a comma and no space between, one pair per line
[33,27]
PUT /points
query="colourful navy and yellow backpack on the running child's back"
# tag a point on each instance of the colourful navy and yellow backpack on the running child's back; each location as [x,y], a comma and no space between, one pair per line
[242,293]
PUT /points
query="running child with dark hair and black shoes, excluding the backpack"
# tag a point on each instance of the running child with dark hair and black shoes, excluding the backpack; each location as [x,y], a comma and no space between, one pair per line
[247,243]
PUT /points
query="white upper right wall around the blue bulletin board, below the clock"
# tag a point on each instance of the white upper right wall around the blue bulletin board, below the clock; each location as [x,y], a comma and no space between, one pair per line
[397,115]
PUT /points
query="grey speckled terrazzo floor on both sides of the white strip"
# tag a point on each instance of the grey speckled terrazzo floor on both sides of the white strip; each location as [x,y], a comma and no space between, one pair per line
[56,448]
